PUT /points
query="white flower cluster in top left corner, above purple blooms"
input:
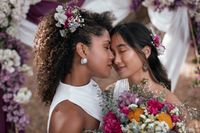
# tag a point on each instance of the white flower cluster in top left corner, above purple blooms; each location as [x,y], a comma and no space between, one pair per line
[12,12]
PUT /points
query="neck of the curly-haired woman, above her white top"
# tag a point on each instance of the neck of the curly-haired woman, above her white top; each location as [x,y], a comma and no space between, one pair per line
[78,76]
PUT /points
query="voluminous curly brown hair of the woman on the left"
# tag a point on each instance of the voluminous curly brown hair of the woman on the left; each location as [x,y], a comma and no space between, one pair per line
[53,54]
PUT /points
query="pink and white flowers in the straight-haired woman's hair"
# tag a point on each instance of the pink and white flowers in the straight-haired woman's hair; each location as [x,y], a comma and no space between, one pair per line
[157,43]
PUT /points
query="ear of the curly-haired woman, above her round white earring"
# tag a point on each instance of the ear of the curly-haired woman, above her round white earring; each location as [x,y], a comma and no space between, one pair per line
[81,49]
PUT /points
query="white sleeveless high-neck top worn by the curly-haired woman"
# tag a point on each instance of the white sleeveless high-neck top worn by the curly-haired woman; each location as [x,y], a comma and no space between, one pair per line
[87,97]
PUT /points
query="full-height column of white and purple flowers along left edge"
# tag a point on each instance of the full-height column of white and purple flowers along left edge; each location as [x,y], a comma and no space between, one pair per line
[13,67]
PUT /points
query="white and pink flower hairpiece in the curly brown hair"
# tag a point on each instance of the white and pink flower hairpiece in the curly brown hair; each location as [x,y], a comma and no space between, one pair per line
[69,19]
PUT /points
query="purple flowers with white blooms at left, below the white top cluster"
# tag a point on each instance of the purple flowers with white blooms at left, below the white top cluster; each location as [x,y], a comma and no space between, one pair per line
[13,72]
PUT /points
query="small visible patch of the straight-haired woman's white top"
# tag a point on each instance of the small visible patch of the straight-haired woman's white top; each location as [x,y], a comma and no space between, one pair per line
[120,86]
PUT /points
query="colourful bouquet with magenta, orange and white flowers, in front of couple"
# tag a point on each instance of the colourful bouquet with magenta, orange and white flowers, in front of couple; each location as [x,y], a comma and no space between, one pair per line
[134,113]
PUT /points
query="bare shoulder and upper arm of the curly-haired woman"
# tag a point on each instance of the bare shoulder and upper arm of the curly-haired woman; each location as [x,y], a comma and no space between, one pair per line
[66,118]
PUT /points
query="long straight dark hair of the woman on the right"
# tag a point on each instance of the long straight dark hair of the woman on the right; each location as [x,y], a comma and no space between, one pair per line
[138,36]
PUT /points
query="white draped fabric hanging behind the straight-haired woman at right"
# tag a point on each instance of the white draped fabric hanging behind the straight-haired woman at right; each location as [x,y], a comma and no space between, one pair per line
[176,39]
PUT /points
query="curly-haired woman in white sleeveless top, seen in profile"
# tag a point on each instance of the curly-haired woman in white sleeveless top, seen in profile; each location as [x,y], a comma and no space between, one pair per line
[71,46]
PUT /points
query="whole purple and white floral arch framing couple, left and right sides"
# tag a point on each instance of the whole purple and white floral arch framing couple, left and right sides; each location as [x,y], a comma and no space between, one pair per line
[13,54]
